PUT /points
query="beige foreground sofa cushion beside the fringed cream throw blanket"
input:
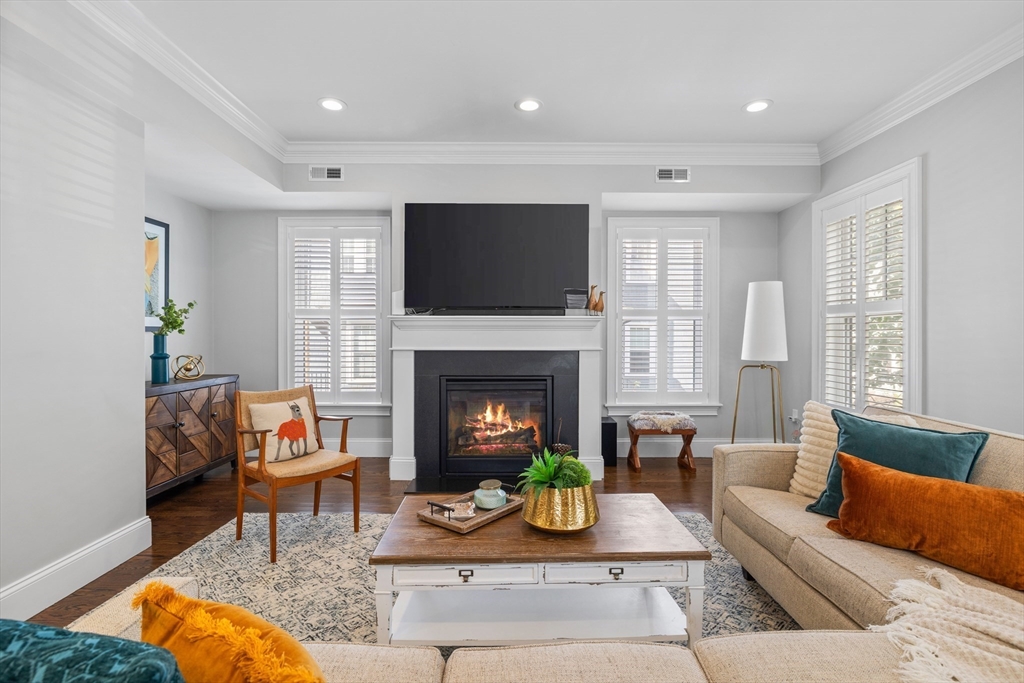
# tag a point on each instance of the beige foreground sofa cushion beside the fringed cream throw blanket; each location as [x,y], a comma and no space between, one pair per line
[782,657]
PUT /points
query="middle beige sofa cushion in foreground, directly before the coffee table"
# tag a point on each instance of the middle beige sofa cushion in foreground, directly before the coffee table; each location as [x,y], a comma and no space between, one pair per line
[576,663]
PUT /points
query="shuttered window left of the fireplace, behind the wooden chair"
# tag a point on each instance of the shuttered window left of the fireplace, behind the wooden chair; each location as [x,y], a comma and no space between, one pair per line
[334,295]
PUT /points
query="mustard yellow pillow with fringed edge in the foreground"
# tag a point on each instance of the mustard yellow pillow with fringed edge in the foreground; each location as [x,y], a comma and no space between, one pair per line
[219,643]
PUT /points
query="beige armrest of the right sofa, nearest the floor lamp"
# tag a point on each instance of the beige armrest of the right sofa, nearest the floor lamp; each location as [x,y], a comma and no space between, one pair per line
[762,465]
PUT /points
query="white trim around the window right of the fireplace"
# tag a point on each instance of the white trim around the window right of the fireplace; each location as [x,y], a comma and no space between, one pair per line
[710,406]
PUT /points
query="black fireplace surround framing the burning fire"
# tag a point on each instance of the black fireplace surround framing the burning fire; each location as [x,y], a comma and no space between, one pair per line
[554,375]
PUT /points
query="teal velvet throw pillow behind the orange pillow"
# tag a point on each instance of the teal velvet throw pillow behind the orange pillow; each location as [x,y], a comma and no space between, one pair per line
[911,450]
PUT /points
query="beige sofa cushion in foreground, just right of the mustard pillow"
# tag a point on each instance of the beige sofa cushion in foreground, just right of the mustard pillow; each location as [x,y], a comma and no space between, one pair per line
[358,663]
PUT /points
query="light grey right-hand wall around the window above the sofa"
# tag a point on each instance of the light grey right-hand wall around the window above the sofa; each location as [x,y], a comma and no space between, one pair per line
[973,238]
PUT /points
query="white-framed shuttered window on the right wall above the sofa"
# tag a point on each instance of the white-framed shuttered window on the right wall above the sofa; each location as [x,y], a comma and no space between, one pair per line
[866,244]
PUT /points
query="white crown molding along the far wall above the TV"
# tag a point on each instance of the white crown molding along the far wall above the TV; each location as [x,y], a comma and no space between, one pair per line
[606,154]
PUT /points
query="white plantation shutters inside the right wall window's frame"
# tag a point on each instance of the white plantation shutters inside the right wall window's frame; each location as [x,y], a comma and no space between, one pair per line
[864,346]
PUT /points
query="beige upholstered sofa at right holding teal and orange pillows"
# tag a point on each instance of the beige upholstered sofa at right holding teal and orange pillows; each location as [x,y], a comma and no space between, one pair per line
[822,579]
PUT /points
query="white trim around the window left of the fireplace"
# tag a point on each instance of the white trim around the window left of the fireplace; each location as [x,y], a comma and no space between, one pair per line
[286,231]
